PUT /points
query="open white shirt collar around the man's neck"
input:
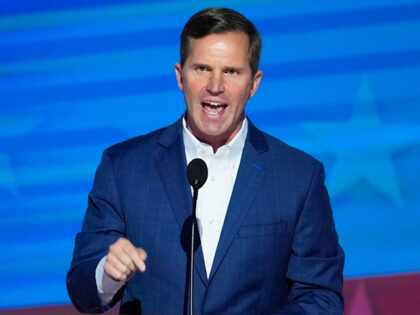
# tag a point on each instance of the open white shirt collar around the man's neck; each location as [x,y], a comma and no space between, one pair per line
[194,147]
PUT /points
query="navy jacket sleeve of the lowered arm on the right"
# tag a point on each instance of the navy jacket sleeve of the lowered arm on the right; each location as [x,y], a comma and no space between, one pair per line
[315,270]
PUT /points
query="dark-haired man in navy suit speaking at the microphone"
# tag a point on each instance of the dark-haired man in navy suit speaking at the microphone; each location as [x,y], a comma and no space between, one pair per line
[268,242]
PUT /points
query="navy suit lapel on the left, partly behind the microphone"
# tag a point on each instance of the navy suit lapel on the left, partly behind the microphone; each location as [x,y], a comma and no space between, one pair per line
[171,164]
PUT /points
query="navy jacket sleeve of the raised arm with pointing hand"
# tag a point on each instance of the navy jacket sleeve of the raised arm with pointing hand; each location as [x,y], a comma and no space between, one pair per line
[103,225]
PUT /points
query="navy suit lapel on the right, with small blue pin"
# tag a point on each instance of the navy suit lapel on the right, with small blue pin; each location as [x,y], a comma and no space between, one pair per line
[248,180]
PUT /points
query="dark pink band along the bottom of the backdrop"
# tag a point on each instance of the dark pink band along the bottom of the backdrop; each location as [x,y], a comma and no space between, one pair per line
[383,295]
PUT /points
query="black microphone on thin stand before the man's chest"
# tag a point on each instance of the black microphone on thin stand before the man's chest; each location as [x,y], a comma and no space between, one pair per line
[197,175]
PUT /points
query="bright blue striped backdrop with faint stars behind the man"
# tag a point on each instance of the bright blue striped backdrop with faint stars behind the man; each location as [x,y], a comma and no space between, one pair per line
[341,81]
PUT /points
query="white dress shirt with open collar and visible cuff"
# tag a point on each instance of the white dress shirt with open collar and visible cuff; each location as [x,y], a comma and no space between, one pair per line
[212,203]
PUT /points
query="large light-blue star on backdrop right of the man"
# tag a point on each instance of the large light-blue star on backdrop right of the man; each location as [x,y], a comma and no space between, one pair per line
[363,147]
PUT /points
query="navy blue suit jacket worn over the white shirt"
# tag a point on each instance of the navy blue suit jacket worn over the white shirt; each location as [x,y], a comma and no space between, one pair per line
[278,251]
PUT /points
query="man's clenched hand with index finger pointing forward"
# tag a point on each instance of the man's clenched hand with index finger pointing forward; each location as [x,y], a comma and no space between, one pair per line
[124,259]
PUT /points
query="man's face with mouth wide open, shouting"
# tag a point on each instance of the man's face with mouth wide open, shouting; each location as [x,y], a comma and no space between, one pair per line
[217,83]
